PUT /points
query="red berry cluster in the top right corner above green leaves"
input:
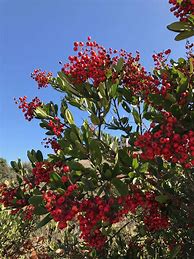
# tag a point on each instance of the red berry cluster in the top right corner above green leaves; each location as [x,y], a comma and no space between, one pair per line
[182,9]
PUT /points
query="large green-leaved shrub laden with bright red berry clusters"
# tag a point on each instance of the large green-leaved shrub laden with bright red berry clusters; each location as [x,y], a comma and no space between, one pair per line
[127,201]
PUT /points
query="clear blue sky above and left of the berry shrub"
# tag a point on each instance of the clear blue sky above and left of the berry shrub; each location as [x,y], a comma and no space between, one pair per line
[40,33]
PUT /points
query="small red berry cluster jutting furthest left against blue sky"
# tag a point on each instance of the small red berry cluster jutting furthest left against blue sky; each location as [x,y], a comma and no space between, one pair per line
[28,108]
